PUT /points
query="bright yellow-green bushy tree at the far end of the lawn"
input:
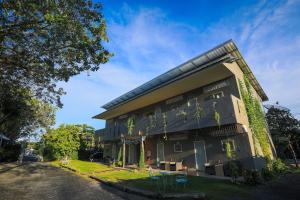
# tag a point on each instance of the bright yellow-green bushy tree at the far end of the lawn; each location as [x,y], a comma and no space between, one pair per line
[63,142]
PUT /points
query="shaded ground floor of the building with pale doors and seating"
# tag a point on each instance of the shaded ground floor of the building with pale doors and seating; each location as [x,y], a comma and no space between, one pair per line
[196,150]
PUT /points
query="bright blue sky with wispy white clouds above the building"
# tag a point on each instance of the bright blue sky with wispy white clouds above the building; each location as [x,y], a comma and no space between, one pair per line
[148,38]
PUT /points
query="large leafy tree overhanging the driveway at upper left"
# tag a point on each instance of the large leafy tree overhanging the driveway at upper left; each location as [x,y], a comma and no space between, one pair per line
[42,43]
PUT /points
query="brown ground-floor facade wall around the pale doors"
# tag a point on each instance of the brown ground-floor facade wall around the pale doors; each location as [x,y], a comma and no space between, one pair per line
[213,147]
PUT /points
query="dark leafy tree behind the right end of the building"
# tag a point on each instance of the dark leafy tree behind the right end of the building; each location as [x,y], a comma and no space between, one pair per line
[283,128]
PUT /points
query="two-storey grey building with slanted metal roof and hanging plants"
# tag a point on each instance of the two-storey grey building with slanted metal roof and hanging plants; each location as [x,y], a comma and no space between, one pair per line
[188,114]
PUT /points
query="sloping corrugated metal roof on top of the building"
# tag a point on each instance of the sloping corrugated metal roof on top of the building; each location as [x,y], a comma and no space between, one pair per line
[227,48]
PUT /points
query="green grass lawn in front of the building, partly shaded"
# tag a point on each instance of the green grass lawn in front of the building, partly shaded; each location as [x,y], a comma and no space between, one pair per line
[214,188]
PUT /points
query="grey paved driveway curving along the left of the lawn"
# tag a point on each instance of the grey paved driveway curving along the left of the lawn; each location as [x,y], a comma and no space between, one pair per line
[40,181]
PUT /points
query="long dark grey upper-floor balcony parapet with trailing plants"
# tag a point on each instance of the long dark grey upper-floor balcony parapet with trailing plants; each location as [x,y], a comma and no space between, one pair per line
[185,117]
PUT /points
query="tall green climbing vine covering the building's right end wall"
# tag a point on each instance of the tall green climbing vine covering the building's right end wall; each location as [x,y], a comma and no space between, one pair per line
[256,117]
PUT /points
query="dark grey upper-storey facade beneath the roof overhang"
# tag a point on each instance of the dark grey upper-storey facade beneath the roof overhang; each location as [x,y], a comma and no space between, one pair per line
[192,110]
